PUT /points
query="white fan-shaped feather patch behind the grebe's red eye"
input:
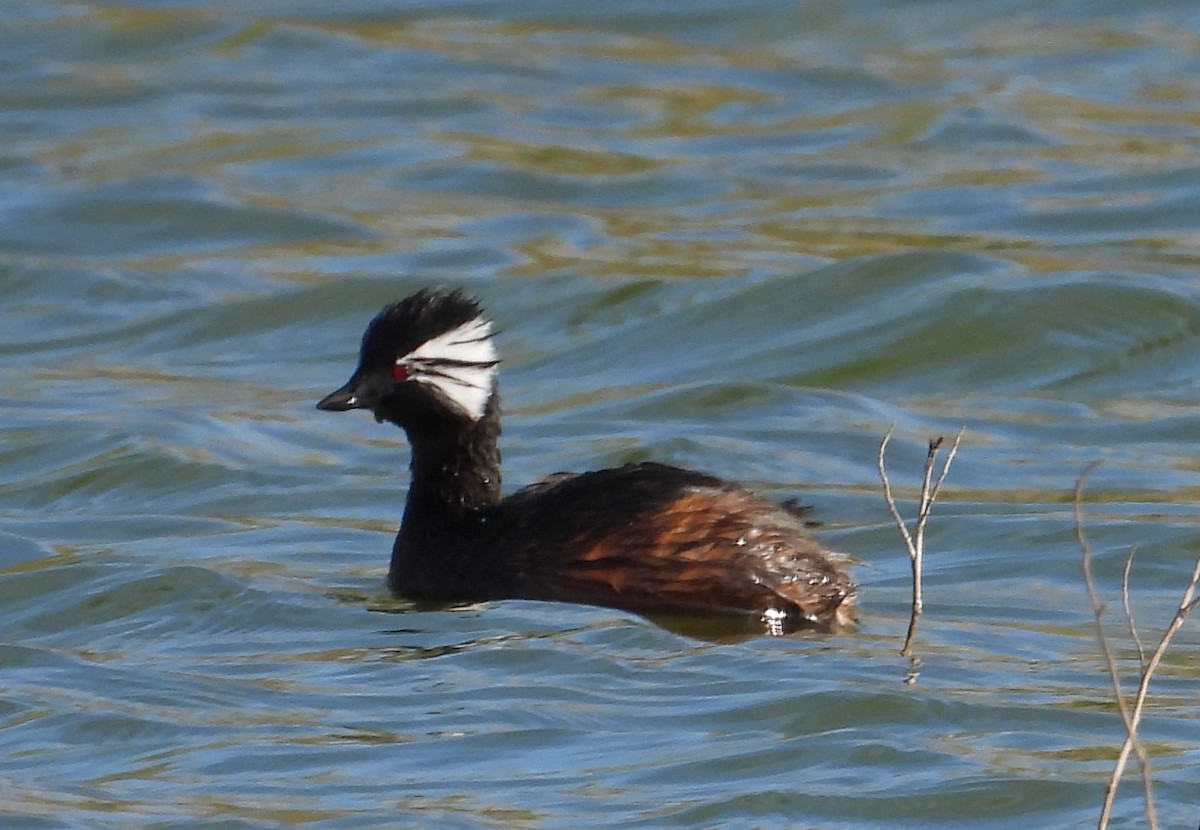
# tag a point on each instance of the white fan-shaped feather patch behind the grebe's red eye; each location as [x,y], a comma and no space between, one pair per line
[461,364]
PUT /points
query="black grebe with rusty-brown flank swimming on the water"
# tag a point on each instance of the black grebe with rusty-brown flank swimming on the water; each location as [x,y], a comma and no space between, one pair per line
[647,538]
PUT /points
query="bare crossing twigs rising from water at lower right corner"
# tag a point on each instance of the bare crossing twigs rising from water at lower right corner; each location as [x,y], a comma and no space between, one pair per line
[1132,718]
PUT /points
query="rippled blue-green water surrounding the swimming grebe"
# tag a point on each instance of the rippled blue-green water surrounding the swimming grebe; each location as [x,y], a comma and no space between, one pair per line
[740,237]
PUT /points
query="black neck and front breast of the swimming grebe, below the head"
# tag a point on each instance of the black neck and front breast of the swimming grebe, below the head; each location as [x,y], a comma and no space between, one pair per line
[455,474]
